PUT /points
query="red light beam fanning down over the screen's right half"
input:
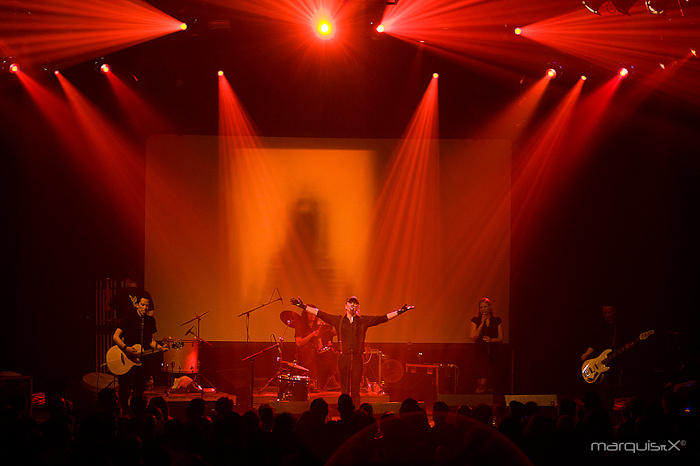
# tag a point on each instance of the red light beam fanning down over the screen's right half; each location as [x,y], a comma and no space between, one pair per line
[406,216]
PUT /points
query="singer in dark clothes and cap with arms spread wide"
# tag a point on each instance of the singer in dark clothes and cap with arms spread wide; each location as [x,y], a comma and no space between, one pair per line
[351,329]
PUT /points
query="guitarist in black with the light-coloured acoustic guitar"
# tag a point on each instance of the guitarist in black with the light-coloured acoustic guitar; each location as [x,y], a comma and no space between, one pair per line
[136,326]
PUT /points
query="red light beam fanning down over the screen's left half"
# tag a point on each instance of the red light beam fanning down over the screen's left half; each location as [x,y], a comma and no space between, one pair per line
[256,219]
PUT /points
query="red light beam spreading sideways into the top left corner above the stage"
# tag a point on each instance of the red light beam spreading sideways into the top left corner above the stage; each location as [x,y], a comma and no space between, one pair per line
[72,30]
